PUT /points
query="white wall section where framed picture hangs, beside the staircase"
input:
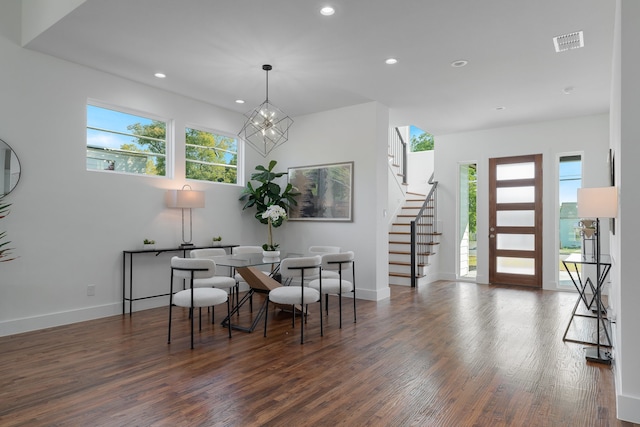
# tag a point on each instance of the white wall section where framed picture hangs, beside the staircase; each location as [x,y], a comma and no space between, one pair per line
[358,134]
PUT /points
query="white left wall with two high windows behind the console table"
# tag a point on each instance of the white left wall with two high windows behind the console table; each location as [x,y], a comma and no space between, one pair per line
[68,225]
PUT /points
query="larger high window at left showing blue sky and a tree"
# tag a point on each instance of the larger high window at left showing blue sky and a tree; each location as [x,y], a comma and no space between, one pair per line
[125,141]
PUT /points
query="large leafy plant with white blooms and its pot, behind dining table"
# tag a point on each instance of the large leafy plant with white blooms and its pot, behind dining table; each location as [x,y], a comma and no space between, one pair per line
[266,196]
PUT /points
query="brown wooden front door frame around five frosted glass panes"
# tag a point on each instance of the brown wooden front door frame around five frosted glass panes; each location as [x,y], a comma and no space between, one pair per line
[534,280]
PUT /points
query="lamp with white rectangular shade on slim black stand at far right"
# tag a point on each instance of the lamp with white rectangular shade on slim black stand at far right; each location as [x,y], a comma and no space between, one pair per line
[598,203]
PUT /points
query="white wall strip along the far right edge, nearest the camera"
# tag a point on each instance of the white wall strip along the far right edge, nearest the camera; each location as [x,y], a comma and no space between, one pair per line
[625,134]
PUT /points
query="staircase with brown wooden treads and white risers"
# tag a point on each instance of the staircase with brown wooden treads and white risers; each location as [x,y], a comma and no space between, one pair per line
[400,243]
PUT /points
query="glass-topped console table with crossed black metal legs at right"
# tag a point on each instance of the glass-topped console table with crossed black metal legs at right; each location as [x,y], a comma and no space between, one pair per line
[573,265]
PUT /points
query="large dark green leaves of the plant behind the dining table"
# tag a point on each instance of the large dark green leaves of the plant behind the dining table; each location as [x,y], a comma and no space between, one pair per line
[268,193]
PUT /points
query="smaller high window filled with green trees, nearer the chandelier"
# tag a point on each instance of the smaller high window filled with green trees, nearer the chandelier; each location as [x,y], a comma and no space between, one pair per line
[211,156]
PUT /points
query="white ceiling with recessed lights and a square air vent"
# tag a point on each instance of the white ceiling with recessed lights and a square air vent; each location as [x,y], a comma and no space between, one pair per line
[213,50]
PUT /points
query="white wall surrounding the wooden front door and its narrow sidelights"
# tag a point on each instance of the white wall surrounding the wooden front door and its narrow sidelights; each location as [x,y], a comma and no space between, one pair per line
[586,134]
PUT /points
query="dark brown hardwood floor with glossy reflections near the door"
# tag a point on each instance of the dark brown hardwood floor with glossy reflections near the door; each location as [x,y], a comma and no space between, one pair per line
[447,354]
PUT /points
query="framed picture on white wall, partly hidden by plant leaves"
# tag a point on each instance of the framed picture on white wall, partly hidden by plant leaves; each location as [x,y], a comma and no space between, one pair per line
[326,192]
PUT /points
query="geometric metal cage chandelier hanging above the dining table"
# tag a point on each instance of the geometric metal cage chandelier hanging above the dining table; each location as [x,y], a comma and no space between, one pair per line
[267,127]
